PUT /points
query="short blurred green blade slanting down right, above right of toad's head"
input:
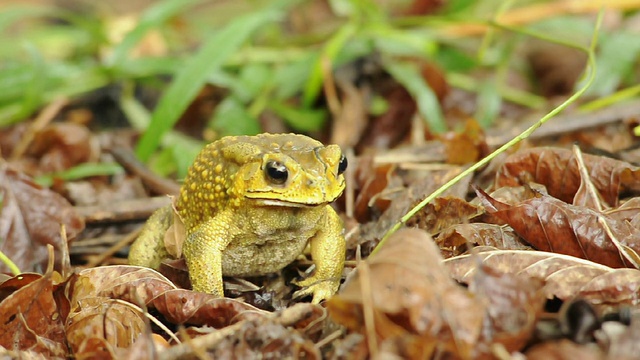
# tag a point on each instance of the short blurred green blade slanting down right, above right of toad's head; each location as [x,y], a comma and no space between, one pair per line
[428,107]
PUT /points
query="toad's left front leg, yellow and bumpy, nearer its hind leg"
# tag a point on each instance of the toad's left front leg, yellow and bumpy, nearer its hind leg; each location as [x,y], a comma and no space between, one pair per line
[203,253]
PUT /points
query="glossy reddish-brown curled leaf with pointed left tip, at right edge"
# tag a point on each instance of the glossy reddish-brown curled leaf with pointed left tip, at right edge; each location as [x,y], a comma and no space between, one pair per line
[549,224]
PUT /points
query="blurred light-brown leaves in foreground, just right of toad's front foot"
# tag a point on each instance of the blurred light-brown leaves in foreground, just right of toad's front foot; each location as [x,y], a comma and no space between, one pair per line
[403,299]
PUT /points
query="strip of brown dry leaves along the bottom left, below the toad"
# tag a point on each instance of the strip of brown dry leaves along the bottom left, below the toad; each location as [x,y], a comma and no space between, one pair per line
[104,312]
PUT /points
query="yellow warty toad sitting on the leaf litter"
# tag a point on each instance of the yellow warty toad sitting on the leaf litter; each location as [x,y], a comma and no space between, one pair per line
[250,206]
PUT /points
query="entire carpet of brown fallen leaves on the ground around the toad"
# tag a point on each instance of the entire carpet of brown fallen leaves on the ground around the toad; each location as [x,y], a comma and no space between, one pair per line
[517,250]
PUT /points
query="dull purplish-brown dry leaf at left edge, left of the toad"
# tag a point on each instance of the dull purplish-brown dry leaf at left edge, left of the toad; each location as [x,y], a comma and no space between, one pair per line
[30,219]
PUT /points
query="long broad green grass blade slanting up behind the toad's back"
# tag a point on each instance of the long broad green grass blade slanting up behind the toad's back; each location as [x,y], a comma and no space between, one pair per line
[192,76]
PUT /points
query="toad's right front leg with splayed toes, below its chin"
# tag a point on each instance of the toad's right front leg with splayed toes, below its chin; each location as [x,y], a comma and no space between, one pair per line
[328,248]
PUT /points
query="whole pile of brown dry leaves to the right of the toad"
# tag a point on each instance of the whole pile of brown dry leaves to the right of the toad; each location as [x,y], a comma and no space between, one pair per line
[528,250]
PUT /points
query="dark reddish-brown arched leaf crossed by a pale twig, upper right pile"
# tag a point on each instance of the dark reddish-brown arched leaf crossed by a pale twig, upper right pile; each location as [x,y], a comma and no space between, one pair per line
[558,170]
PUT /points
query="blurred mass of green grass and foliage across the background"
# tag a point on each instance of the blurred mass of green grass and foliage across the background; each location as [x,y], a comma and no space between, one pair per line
[246,48]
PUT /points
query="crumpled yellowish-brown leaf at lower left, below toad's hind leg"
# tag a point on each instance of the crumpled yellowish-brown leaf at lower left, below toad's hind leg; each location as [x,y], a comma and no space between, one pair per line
[105,308]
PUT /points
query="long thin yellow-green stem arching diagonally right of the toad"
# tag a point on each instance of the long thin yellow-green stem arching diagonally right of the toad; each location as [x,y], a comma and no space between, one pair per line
[591,71]
